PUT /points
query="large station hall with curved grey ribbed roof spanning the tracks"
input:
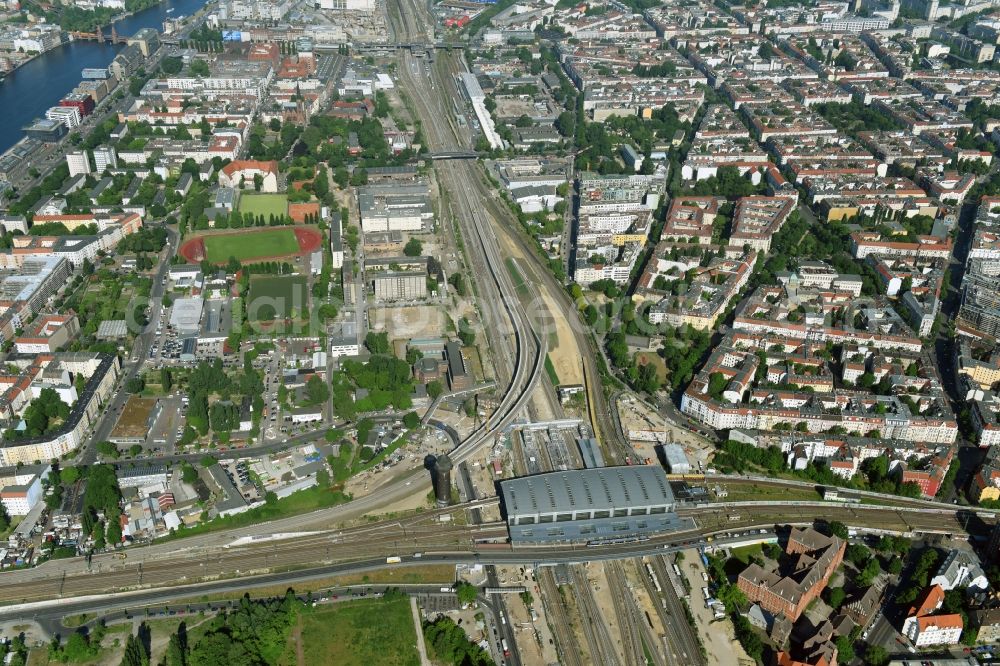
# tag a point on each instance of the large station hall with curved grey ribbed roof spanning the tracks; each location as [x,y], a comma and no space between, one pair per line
[590,504]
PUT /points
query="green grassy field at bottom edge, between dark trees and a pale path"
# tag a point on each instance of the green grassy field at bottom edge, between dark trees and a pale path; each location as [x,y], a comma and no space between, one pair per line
[361,633]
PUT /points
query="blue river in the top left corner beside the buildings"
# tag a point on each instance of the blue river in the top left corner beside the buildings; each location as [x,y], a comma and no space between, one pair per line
[30,90]
